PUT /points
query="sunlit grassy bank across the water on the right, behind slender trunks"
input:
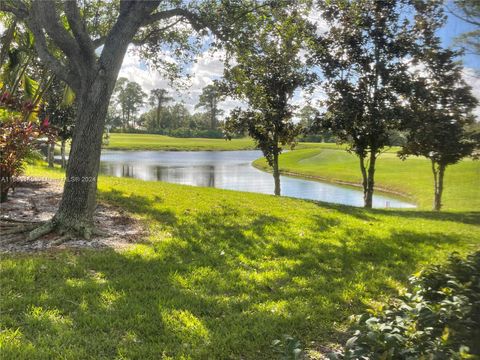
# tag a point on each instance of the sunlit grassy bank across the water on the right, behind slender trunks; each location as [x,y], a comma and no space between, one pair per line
[412,177]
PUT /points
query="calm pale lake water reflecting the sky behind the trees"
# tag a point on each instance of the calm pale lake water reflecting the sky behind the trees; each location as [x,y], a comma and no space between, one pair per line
[227,170]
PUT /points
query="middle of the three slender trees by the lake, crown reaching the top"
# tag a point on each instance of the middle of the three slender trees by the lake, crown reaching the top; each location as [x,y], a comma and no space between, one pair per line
[365,57]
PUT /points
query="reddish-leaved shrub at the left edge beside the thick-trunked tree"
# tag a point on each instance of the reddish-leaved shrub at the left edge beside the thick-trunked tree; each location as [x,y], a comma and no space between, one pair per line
[18,138]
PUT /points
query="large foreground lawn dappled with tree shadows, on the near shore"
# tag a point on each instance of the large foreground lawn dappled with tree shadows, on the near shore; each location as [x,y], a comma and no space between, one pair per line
[222,275]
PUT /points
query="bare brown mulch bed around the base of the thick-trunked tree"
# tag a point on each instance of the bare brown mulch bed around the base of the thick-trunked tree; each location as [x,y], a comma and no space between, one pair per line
[36,200]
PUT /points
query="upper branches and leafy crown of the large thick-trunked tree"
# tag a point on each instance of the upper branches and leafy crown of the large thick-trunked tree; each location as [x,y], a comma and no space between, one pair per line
[90,33]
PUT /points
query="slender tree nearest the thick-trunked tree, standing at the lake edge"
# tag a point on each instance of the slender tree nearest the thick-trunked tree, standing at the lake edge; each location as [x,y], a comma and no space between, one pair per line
[267,70]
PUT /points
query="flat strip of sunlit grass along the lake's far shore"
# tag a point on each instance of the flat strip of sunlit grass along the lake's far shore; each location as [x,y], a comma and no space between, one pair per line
[161,142]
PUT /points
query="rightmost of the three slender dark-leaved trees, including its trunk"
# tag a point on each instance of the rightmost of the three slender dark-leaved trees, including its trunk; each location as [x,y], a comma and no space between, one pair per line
[440,112]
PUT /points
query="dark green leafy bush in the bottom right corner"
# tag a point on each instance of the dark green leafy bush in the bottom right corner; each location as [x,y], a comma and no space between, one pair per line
[439,319]
